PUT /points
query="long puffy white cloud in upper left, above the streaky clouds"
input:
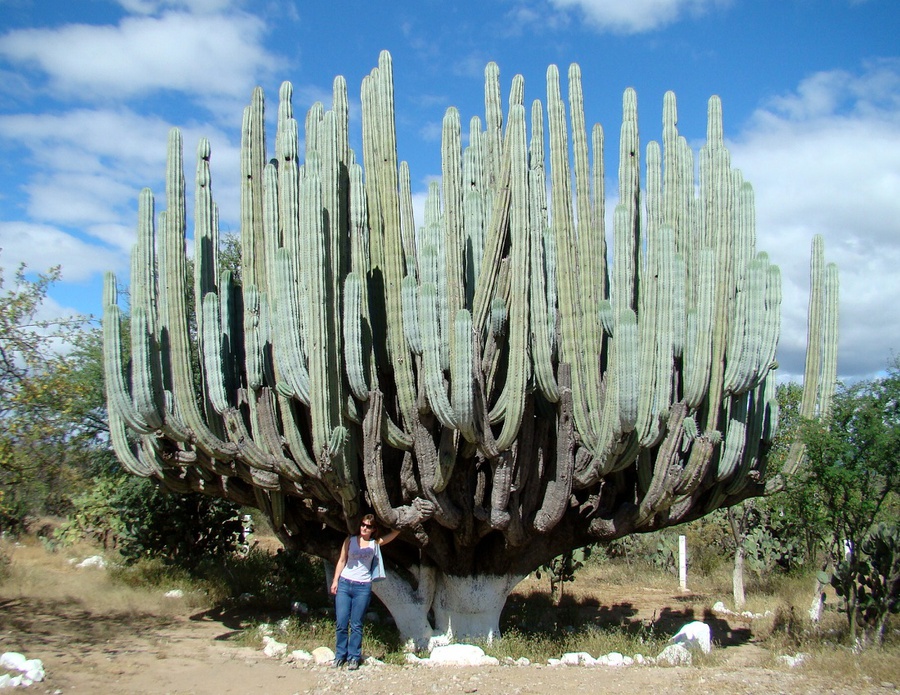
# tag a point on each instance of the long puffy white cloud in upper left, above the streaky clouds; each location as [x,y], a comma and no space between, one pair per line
[202,55]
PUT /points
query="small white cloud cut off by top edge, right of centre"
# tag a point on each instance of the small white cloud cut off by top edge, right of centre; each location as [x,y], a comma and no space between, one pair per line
[634,16]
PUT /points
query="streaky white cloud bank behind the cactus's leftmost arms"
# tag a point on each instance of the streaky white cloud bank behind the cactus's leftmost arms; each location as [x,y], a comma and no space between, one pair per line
[89,169]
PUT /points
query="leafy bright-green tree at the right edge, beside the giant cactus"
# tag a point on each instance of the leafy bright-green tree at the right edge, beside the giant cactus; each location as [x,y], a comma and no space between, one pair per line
[852,483]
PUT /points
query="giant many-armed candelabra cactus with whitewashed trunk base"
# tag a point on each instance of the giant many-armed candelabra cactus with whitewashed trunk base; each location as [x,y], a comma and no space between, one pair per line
[492,383]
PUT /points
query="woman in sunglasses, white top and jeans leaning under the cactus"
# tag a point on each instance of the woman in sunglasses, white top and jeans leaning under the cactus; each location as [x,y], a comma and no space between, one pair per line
[352,589]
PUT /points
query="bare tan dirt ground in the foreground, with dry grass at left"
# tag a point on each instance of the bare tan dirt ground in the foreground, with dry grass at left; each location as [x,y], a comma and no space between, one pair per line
[92,644]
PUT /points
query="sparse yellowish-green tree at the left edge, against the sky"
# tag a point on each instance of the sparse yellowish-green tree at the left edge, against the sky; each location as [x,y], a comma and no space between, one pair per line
[51,401]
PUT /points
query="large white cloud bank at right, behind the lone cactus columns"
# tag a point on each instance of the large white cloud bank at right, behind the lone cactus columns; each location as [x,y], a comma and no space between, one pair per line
[826,159]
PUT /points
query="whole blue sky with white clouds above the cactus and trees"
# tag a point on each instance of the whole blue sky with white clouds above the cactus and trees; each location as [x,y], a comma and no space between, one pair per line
[810,89]
